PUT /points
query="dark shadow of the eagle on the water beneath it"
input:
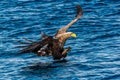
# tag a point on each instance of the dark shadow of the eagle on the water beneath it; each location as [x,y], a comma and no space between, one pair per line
[42,69]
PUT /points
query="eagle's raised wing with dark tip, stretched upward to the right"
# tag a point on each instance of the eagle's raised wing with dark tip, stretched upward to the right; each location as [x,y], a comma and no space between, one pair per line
[79,14]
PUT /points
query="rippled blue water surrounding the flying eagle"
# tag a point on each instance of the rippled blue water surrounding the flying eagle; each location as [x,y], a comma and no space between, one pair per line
[95,53]
